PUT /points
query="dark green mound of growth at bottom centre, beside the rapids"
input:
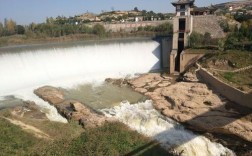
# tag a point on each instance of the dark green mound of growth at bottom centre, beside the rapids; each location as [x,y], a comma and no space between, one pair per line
[110,139]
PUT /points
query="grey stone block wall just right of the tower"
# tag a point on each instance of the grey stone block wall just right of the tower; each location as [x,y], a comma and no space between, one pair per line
[208,23]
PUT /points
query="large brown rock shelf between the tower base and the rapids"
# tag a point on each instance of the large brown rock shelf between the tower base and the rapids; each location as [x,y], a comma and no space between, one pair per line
[195,105]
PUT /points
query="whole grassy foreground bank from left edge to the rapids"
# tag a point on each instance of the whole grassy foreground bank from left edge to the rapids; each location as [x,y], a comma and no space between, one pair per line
[70,139]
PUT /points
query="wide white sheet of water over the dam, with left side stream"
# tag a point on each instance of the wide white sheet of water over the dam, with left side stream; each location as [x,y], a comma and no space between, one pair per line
[22,72]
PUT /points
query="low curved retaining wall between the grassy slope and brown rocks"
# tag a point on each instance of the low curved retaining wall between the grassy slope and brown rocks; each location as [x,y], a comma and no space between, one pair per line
[229,92]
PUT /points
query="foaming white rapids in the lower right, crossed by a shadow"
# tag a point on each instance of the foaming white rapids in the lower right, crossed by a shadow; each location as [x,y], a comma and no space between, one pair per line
[146,120]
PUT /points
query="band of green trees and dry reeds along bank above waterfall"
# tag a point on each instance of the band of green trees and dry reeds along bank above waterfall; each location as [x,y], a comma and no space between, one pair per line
[12,34]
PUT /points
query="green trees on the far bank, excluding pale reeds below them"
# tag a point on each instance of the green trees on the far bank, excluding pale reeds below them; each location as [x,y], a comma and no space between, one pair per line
[62,26]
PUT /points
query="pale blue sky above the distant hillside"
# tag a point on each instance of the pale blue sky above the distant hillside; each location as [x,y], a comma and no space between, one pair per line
[25,12]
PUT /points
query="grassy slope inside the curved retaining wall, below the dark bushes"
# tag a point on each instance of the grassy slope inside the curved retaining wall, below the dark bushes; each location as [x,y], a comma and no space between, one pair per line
[236,60]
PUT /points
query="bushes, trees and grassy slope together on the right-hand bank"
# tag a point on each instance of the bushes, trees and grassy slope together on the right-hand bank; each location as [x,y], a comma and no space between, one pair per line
[230,53]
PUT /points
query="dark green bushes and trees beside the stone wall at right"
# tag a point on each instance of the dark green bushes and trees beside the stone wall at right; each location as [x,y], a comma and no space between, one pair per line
[238,37]
